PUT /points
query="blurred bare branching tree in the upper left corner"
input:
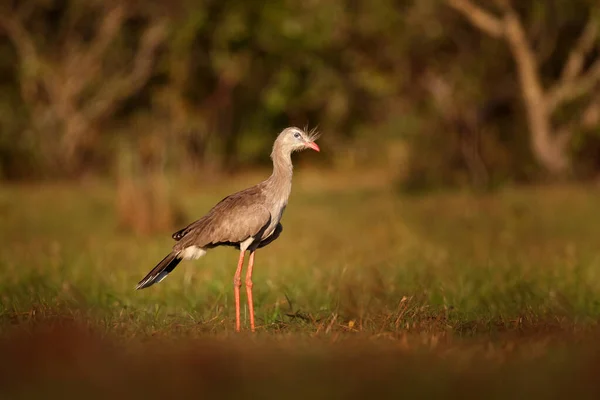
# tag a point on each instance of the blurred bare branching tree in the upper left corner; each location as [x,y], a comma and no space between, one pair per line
[74,68]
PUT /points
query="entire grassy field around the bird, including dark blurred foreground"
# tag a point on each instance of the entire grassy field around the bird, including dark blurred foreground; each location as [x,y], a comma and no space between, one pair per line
[366,293]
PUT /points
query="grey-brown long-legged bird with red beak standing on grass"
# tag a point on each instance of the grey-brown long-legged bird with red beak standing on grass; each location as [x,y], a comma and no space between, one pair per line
[246,220]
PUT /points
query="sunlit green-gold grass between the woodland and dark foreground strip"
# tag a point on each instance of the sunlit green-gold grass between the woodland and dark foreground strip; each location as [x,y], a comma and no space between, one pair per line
[371,260]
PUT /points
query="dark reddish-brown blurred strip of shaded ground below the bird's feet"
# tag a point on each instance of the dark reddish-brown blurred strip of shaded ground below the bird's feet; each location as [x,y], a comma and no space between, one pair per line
[62,357]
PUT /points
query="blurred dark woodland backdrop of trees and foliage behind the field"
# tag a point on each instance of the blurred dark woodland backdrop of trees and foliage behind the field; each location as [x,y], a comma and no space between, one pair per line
[441,93]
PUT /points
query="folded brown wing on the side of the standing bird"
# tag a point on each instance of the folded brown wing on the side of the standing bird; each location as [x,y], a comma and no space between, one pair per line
[234,219]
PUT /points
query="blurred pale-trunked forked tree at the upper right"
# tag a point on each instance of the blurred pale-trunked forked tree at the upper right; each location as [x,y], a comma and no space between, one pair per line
[578,80]
